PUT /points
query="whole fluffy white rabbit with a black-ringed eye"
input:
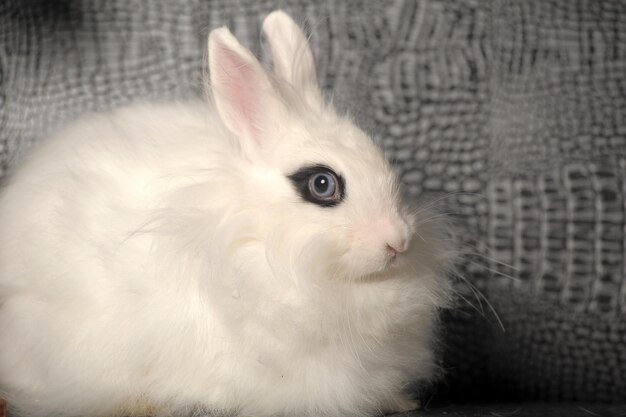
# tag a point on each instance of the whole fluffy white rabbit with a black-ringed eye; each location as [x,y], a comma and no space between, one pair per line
[251,256]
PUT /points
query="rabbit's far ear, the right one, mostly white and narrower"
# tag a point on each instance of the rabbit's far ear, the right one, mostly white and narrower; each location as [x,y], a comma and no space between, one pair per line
[291,53]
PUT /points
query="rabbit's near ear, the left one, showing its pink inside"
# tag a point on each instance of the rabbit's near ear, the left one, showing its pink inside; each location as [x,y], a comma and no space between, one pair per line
[243,93]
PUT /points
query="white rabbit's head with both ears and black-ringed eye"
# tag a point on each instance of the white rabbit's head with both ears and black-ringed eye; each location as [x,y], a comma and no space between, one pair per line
[325,201]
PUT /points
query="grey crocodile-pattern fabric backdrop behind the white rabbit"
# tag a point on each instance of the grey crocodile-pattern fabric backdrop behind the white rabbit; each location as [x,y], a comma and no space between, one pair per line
[511,115]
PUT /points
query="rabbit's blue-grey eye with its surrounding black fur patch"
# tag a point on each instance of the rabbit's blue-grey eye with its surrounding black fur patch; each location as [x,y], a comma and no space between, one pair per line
[319,184]
